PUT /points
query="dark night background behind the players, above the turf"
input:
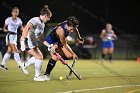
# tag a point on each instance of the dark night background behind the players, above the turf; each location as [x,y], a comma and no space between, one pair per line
[124,15]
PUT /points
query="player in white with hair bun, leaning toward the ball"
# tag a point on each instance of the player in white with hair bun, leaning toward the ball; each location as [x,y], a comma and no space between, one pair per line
[33,32]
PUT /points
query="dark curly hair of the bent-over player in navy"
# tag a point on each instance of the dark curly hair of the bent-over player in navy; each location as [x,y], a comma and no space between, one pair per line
[73,21]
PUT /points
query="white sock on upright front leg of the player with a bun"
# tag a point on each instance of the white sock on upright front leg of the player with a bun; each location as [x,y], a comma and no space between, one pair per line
[38,65]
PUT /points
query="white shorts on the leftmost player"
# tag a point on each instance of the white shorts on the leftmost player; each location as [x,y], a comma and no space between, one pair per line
[11,38]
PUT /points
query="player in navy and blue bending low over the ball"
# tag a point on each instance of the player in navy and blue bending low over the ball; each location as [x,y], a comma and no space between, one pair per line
[58,38]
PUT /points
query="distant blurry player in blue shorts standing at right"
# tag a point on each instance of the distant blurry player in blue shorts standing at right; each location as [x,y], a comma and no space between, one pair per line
[107,36]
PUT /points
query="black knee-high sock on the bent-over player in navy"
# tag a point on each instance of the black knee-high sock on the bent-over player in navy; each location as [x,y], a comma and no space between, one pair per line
[50,66]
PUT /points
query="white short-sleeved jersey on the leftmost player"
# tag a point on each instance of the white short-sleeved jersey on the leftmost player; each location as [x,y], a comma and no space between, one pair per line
[13,25]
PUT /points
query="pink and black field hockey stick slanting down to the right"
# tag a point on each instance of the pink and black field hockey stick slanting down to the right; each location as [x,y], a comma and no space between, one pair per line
[65,63]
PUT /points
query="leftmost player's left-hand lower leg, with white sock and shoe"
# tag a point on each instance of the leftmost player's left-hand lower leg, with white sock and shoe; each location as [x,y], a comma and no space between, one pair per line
[6,58]
